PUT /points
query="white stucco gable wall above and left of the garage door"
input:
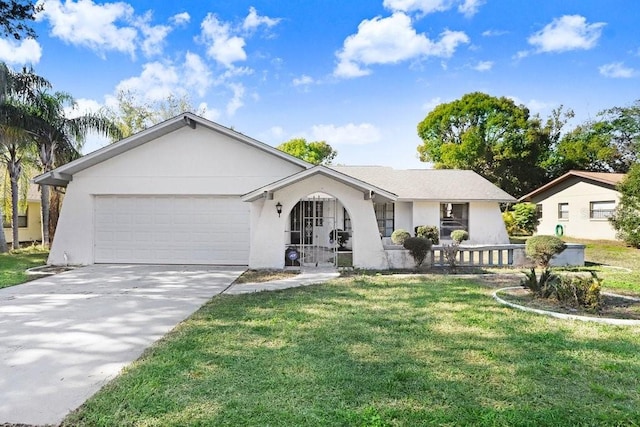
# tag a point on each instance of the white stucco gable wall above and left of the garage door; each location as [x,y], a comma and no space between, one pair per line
[185,162]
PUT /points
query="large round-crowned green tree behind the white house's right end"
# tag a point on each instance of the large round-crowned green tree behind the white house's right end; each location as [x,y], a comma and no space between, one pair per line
[491,136]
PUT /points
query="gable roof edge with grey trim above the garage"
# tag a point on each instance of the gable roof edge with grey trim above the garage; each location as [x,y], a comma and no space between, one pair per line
[64,174]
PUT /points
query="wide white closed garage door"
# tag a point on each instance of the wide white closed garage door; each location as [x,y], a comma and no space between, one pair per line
[171,230]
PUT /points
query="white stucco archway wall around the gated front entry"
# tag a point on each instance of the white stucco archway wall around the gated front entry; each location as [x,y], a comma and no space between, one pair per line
[268,236]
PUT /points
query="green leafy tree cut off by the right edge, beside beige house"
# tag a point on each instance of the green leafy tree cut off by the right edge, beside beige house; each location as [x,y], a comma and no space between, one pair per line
[626,217]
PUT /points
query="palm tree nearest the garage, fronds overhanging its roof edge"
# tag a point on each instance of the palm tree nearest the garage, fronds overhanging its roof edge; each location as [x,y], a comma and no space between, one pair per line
[60,138]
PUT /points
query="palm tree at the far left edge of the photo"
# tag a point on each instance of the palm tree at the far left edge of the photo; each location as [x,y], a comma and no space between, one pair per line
[17,90]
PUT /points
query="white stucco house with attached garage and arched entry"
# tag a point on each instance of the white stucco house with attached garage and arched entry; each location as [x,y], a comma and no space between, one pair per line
[189,191]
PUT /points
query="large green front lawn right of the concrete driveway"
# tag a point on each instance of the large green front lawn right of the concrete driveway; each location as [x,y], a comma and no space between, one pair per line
[376,351]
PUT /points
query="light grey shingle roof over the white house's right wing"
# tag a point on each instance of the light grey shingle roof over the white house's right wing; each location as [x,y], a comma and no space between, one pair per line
[429,184]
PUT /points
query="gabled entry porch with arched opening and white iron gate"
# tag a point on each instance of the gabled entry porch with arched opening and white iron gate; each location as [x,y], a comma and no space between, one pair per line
[314,219]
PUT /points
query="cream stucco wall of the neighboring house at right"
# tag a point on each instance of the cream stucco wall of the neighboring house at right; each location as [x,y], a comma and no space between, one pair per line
[578,194]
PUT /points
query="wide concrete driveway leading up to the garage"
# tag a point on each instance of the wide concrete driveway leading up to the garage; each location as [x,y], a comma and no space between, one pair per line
[65,336]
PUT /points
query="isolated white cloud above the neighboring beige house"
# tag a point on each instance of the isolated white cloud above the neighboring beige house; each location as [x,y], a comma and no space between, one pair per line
[569,32]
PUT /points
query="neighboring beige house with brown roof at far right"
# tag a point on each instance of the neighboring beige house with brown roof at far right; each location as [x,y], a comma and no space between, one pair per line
[577,204]
